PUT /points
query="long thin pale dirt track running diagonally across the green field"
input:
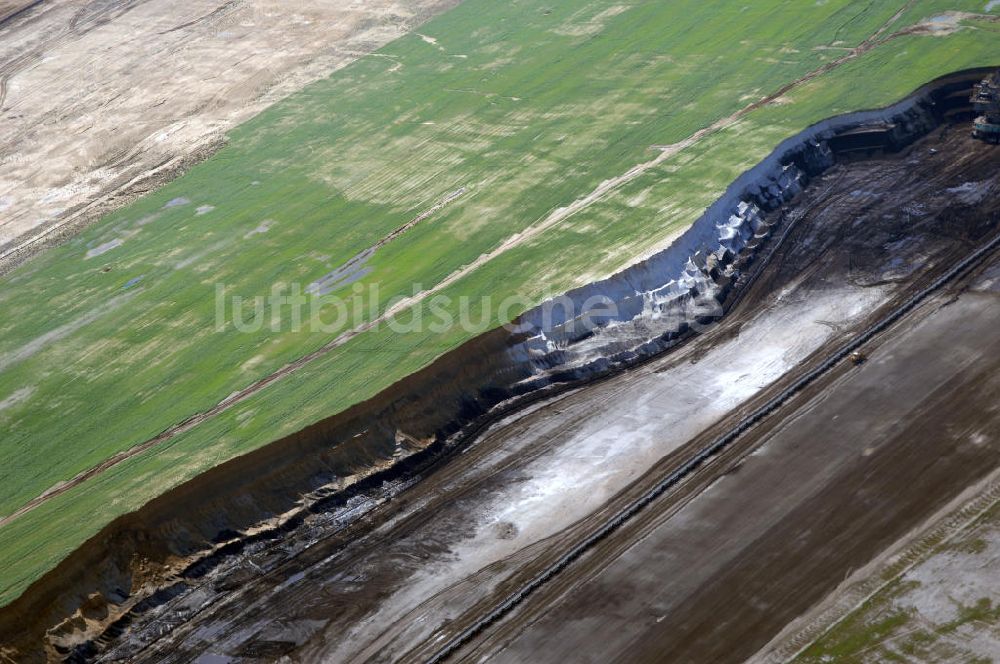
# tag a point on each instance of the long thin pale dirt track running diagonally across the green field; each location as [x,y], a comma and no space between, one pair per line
[600,192]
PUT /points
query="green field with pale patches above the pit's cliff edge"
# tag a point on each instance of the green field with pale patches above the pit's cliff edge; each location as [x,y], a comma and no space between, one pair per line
[525,106]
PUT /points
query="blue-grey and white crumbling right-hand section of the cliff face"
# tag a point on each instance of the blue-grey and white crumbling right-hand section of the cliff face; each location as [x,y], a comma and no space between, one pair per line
[646,308]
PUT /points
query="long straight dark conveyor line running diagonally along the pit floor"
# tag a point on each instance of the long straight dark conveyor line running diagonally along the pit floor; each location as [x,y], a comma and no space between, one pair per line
[713,449]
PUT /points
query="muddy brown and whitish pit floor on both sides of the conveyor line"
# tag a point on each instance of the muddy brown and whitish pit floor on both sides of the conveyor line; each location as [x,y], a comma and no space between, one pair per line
[703,575]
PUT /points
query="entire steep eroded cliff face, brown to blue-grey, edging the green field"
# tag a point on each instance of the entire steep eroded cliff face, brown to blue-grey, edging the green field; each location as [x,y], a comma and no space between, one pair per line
[323,476]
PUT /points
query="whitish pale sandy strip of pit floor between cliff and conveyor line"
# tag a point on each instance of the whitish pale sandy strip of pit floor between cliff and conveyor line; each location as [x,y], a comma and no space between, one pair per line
[528,479]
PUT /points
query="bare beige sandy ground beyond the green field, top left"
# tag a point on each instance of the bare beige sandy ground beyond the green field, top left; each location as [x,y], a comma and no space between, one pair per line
[102,100]
